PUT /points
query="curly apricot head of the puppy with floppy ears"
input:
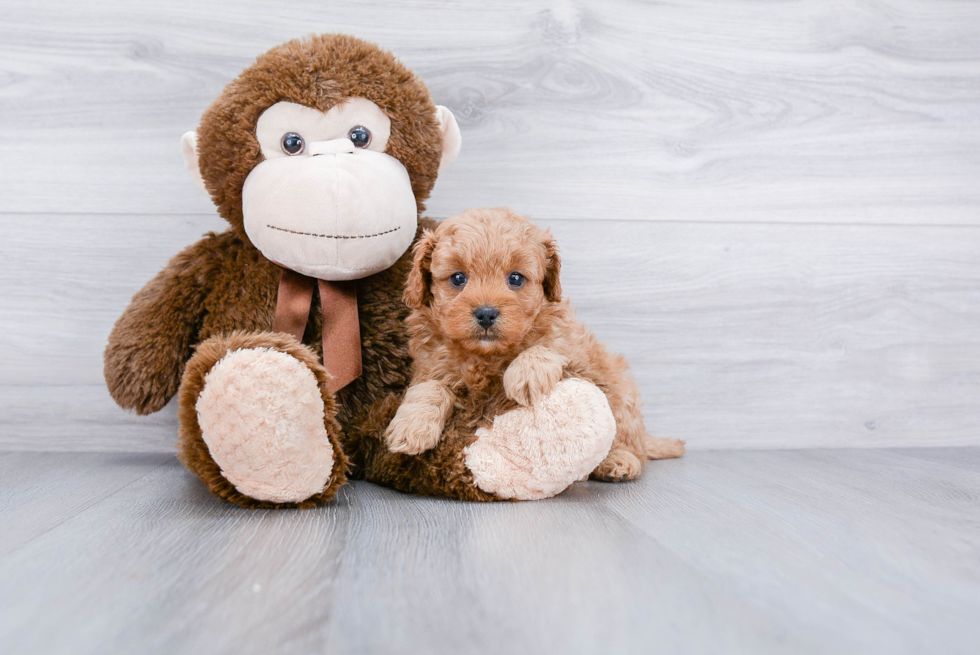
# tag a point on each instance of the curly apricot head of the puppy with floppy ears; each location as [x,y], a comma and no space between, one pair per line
[483,277]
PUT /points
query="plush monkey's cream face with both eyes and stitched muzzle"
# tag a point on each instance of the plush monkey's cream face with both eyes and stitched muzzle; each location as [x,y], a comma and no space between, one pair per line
[327,201]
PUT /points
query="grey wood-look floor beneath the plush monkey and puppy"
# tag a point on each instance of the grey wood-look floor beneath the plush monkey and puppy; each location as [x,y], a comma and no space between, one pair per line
[833,551]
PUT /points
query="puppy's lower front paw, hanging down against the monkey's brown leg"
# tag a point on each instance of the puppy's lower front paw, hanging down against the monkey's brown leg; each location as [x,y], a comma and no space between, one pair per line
[420,419]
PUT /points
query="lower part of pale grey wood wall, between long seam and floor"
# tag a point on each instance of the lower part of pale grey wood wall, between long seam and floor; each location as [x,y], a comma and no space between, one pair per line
[746,336]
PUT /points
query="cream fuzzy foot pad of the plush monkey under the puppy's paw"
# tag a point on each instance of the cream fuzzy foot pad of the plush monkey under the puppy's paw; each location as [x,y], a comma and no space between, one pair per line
[539,451]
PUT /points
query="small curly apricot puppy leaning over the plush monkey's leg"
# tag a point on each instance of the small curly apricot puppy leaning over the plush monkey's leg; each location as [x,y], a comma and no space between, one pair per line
[488,319]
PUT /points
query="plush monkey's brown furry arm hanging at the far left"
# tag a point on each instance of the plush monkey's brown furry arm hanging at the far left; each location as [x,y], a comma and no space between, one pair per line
[152,340]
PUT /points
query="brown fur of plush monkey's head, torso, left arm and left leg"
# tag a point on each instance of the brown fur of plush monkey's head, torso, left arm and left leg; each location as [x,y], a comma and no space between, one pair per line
[221,292]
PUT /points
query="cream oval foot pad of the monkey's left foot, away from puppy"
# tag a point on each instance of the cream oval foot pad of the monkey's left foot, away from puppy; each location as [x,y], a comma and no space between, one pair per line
[261,416]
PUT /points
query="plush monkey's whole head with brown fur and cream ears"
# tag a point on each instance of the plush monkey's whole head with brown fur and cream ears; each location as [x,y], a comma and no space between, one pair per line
[322,154]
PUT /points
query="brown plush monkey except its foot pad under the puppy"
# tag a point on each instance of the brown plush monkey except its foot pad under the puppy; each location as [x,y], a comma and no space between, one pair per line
[320,156]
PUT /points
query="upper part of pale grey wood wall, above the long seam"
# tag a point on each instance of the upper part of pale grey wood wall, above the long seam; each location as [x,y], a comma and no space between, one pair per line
[703,111]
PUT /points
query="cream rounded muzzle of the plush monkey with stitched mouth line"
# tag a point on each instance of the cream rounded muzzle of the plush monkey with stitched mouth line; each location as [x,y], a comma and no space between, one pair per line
[334,213]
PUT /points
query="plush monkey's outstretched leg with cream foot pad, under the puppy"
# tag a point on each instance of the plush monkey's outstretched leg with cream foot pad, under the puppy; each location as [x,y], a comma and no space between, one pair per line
[526,454]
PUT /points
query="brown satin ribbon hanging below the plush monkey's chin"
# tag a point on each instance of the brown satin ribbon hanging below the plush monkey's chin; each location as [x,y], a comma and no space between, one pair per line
[341,329]
